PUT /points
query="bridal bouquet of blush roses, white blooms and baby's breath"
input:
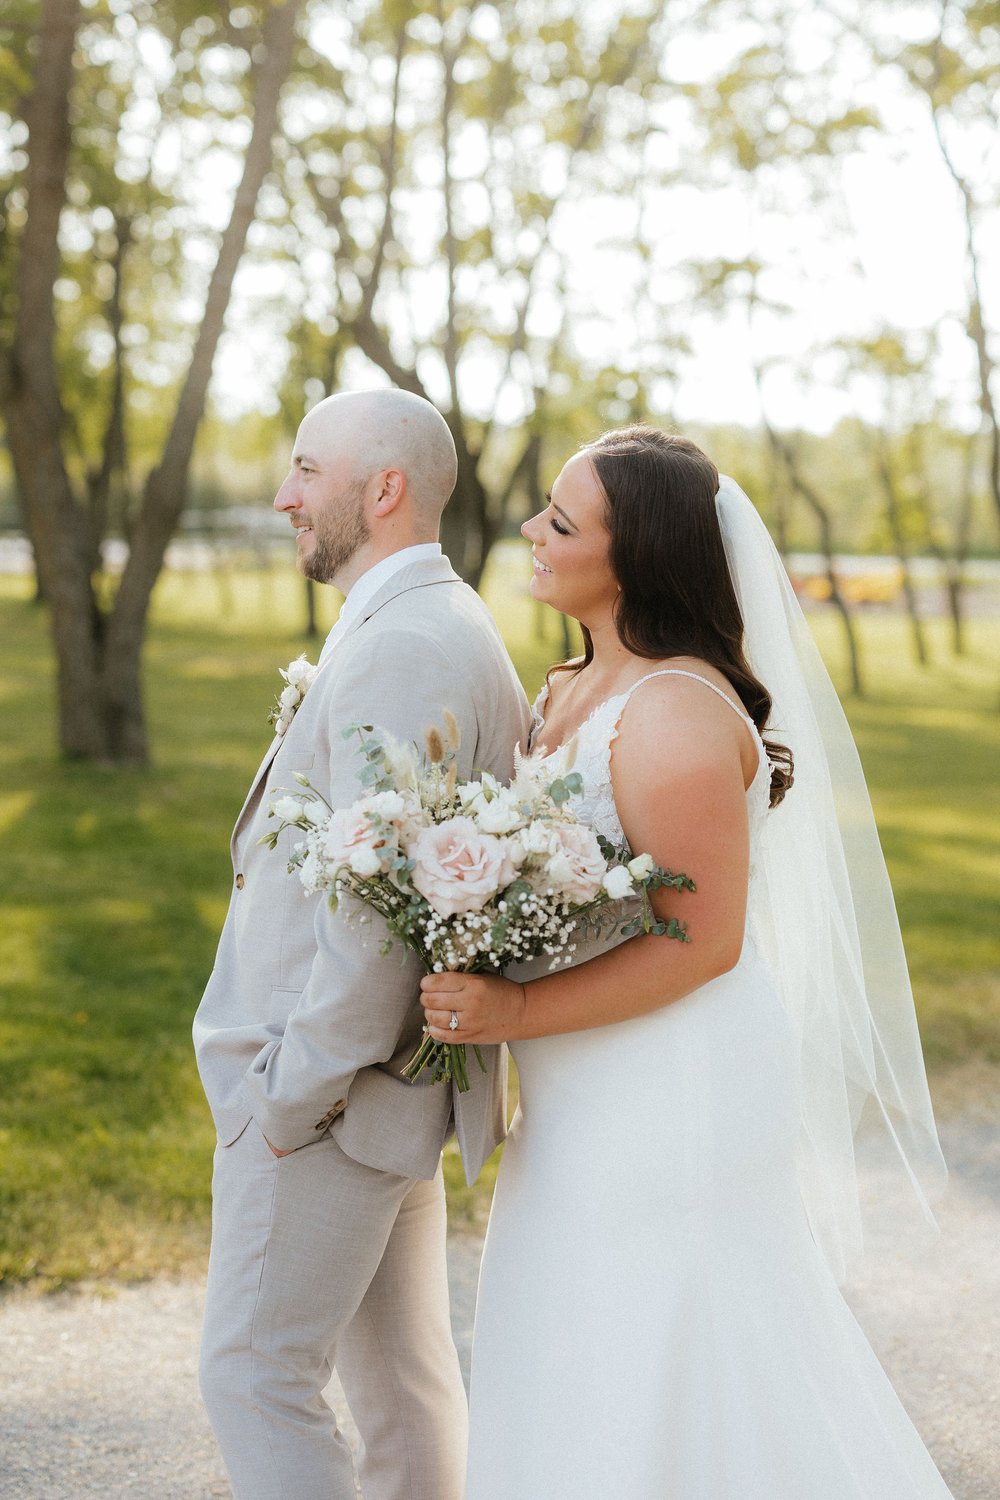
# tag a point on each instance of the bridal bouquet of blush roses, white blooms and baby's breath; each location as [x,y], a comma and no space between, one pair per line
[469,875]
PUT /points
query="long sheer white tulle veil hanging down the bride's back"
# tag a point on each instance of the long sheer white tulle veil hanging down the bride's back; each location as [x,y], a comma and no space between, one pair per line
[827,920]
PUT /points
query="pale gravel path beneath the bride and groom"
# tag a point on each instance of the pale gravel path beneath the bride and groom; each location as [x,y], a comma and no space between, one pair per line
[98,1394]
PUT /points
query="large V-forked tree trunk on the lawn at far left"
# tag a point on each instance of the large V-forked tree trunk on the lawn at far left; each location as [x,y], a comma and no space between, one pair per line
[100,658]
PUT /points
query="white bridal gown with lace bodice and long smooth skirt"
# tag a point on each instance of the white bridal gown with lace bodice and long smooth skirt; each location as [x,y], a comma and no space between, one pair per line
[654,1318]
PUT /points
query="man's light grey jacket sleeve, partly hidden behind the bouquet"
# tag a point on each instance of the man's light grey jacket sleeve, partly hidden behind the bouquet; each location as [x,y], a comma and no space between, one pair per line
[356,1001]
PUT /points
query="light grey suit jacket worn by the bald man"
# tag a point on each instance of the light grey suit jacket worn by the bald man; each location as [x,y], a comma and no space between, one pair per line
[304,1025]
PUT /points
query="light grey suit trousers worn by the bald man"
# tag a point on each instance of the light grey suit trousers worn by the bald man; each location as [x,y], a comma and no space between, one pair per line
[320,1261]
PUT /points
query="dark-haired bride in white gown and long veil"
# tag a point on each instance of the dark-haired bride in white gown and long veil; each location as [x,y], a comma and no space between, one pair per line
[659,1313]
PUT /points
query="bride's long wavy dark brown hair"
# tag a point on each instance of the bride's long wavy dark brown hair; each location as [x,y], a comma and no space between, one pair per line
[677,595]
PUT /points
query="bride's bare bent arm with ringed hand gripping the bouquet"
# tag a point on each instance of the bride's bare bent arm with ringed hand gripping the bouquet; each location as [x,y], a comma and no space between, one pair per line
[678,776]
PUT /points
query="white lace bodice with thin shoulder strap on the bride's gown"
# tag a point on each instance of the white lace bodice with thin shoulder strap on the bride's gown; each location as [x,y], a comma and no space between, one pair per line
[594,740]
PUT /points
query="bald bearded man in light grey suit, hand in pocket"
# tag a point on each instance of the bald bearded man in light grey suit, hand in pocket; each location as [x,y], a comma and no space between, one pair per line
[329,1229]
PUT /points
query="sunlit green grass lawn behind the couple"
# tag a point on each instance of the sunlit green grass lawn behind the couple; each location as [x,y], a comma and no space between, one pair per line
[116,887]
